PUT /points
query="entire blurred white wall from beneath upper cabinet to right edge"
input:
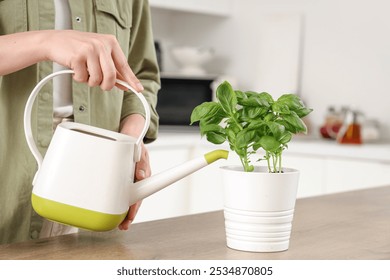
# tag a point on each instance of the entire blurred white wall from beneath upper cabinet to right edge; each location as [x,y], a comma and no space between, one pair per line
[345,43]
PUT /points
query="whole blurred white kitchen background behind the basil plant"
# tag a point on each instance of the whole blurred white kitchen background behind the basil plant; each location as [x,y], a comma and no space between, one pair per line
[334,53]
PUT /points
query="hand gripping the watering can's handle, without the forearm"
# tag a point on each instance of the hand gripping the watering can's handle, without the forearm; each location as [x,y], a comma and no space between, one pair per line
[96,59]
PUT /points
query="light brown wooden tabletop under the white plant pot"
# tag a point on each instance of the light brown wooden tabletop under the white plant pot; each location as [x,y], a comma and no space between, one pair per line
[351,225]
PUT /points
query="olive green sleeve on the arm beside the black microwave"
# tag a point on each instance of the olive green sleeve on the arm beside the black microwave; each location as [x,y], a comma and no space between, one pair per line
[142,60]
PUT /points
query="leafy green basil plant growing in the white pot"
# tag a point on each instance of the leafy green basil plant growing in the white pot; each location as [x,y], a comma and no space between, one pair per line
[250,121]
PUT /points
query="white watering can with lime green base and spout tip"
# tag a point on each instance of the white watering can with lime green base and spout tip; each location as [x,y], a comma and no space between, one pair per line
[86,178]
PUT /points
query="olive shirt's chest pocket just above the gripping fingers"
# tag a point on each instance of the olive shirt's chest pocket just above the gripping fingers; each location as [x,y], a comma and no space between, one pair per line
[115,17]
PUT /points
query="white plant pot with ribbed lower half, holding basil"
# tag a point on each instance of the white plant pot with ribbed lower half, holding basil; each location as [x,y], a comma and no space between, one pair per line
[259,208]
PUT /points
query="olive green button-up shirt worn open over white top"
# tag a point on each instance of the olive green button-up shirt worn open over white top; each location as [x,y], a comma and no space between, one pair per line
[130,21]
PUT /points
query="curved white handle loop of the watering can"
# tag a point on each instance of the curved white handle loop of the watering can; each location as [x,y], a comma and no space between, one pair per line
[30,102]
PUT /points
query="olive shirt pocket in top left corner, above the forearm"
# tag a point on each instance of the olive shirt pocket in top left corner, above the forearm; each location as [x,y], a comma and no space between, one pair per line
[13,16]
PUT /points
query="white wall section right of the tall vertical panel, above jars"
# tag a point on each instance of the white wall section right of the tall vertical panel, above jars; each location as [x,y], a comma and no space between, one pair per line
[347,57]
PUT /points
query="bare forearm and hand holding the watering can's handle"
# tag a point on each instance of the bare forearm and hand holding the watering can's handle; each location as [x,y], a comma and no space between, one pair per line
[97,59]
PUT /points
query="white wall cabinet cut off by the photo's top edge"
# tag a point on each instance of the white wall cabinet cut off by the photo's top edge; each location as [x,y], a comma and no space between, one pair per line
[214,7]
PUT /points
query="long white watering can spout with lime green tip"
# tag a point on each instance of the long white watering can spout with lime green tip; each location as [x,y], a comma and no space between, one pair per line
[149,186]
